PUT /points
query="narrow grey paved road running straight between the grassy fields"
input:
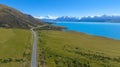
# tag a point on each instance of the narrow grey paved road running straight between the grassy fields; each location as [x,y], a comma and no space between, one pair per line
[33,61]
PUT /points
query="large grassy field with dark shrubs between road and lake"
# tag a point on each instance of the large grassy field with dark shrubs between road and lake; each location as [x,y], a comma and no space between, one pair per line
[72,49]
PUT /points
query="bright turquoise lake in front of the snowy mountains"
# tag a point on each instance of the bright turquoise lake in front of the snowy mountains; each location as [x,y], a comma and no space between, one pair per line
[105,29]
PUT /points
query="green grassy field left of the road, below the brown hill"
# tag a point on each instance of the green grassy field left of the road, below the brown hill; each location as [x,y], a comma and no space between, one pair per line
[15,48]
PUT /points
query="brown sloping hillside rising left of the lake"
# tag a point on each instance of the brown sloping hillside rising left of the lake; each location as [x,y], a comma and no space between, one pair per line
[12,18]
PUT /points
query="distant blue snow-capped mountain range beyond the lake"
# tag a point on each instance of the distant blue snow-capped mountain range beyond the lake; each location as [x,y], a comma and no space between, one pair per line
[103,18]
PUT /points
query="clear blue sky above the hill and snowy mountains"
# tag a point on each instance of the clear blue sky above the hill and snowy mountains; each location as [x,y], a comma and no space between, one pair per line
[77,8]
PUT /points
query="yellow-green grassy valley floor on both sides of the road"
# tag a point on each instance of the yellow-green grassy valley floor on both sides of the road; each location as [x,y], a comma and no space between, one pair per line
[57,49]
